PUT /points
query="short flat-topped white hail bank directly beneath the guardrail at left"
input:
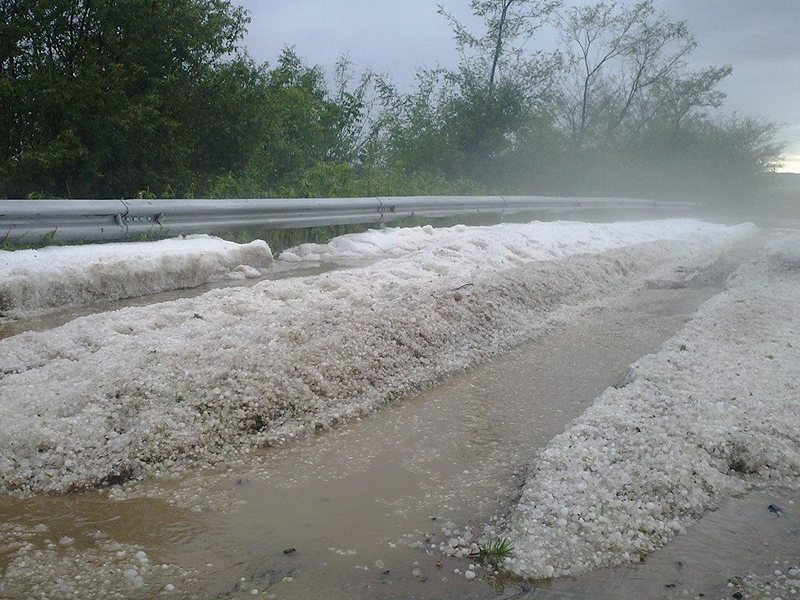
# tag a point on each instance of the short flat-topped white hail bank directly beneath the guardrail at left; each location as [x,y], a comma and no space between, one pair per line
[37,281]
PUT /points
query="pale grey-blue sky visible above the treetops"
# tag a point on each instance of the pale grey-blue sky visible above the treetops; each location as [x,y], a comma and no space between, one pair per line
[760,38]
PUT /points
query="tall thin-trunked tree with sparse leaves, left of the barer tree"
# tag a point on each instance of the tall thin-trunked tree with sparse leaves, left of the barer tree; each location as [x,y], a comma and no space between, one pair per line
[461,122]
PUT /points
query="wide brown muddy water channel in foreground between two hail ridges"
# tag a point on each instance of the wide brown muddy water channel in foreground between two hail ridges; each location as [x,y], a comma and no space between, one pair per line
[361,507]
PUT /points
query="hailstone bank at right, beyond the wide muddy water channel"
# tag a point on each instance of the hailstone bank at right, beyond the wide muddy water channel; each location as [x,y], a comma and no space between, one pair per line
[713,412]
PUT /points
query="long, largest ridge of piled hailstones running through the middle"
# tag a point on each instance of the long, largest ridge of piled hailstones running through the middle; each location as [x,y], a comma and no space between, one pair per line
[144,390]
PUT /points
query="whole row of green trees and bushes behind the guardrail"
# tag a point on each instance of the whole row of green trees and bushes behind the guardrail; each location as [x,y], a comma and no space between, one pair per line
[160,99]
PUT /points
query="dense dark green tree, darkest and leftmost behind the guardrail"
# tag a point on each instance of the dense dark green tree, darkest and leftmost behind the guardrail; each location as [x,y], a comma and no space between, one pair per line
[104,98]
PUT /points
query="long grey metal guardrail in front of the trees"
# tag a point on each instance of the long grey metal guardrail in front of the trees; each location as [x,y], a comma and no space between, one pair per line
[29,221]
